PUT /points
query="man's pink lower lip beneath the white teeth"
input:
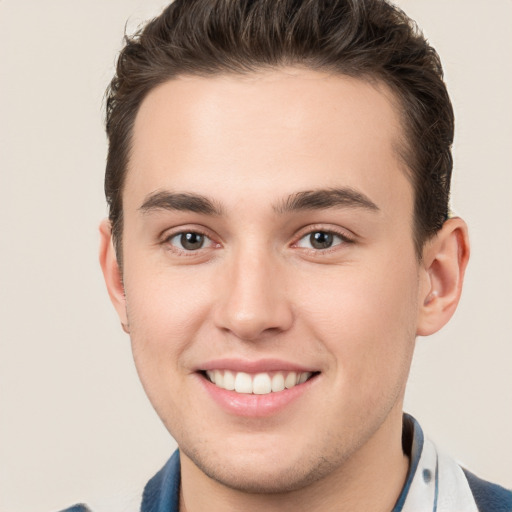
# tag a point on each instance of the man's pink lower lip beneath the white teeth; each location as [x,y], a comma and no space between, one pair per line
[255,406]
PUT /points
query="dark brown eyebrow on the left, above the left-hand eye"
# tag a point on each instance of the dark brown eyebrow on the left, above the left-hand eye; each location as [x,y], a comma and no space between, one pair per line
[165,200]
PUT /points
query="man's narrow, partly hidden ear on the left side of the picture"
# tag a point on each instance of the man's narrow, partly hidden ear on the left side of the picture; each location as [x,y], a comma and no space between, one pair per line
[112,272]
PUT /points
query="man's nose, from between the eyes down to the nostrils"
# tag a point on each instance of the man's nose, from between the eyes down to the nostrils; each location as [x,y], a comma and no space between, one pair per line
[253,301]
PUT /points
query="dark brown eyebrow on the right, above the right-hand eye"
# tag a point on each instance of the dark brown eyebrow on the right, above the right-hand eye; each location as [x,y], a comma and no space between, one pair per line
[326,198]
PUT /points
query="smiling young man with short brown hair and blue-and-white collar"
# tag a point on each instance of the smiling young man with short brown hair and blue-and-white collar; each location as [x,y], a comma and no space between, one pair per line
[278,181]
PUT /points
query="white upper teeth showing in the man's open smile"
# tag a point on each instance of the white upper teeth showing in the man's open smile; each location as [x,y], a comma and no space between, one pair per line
[258,383]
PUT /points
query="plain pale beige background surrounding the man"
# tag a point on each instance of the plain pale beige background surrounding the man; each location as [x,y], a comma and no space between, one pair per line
[74,422]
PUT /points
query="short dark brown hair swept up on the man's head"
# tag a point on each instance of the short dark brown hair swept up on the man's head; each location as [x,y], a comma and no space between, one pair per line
[369,39]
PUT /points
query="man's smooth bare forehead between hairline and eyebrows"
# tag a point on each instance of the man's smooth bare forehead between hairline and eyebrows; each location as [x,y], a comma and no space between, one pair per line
[286,130]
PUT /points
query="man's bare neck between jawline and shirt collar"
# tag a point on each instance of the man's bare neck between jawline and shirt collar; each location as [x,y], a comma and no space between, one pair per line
[371,479]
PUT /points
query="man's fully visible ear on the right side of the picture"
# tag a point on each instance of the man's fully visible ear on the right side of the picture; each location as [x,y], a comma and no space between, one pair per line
[445,258]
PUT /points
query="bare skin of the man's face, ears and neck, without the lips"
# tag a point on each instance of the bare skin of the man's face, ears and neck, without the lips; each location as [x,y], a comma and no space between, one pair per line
[258,288]
